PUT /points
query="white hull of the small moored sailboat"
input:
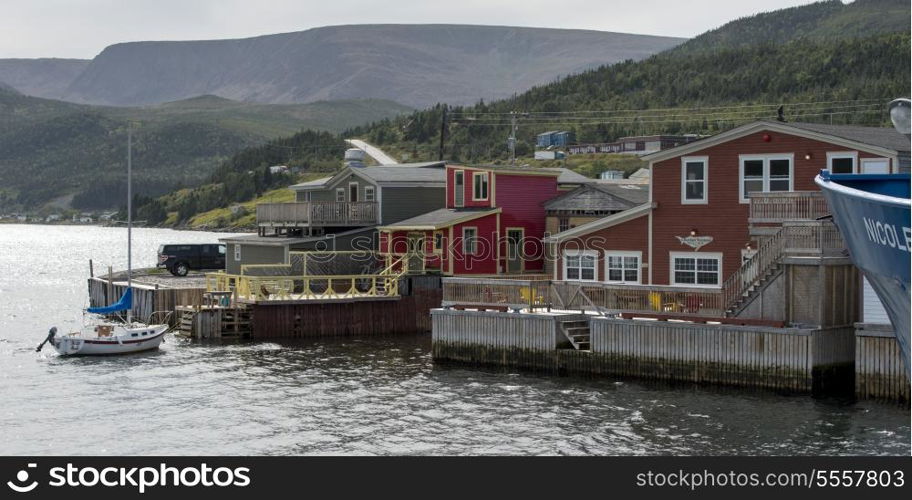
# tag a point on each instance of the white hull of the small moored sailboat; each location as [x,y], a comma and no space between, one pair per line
[127,340]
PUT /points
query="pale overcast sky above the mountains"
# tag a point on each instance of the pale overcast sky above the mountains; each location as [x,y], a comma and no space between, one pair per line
[82,28]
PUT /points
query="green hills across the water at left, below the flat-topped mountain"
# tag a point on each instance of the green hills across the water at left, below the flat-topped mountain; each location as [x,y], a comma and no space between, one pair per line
[73,154]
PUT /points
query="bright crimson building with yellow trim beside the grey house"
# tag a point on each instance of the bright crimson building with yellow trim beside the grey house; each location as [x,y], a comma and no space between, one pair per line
[493,223]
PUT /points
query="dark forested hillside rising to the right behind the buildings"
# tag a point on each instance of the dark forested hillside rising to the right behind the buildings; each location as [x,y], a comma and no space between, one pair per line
[803,58]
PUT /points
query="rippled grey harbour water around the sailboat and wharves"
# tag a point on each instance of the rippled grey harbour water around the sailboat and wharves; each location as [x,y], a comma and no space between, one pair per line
[352,396]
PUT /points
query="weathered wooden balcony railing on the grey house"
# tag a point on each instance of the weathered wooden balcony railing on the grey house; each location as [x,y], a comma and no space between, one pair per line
[317,213]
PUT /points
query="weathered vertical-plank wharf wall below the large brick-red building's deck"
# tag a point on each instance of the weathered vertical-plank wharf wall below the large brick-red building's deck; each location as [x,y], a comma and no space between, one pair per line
[787,359]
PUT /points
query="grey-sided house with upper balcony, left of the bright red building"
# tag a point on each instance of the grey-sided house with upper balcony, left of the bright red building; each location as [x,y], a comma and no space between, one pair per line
[340,212]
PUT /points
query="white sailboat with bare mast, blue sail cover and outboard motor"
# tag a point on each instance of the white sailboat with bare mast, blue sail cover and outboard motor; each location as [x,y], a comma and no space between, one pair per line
[108,337]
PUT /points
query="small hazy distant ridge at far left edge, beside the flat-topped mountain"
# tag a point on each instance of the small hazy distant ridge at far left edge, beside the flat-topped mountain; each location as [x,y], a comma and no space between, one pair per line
[41,77]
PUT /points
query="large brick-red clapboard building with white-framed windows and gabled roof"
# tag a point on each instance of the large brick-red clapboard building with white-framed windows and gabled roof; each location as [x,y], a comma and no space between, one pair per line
[699,225]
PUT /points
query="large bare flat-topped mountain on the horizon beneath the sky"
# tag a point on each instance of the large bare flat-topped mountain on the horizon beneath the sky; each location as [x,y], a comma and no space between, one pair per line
[417,65]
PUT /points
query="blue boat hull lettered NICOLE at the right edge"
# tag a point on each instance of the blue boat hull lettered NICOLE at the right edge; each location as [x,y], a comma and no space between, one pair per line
[872,213]
